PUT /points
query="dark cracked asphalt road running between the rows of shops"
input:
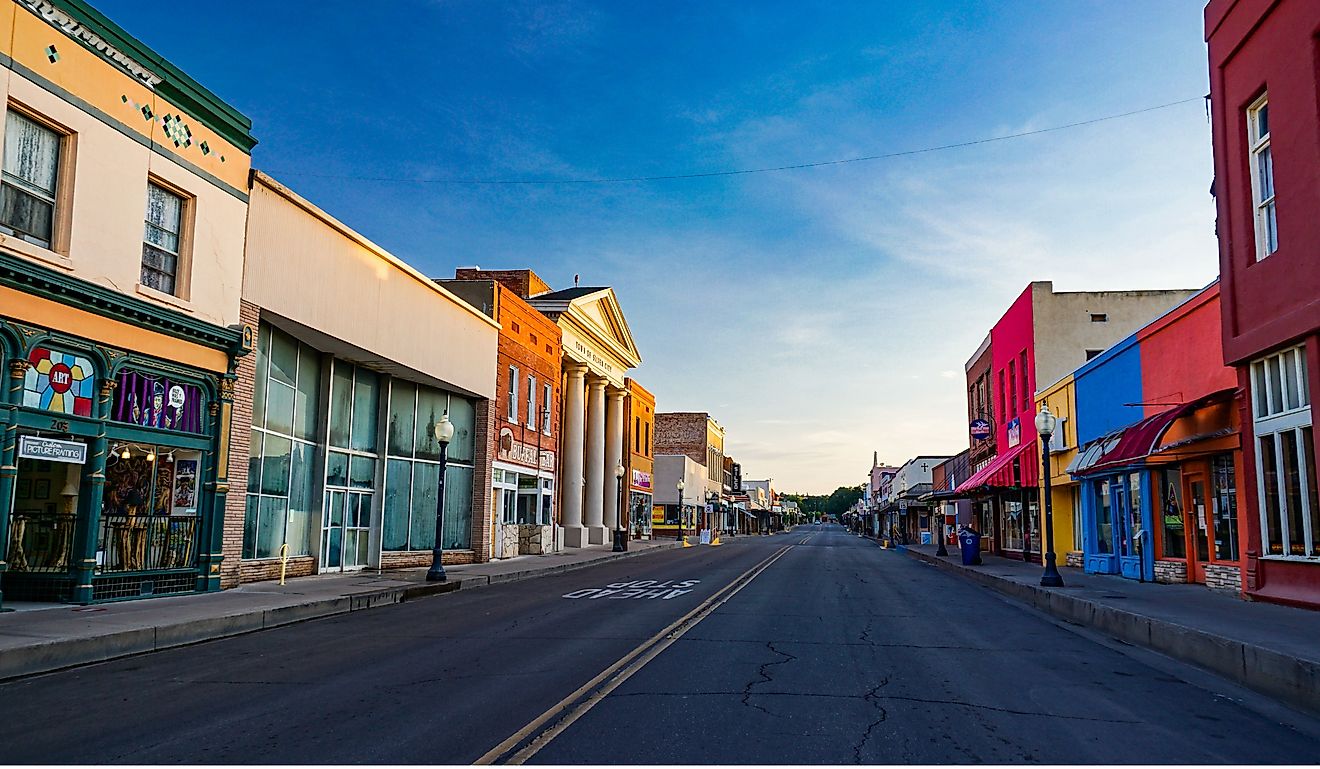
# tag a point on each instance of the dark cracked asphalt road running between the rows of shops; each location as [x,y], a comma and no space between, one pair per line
[838,652]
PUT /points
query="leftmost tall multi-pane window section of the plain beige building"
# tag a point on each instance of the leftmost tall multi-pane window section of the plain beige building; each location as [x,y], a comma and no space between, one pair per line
[283,453]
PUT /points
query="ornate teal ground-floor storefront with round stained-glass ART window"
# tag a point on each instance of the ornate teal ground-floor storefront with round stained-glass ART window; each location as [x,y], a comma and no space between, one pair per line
[110,482]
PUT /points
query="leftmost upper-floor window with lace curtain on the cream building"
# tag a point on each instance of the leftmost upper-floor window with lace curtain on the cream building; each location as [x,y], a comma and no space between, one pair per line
[30,180]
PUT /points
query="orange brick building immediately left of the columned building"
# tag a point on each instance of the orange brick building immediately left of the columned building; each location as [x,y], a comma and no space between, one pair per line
[527,412]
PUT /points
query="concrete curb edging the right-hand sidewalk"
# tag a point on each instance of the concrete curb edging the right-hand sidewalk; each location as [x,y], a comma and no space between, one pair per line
[1277,675]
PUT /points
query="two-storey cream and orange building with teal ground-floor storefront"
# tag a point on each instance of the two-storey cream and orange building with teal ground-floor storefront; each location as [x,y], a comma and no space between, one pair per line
[121,262]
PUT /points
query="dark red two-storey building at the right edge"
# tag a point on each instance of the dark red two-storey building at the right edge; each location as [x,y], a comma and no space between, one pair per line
[1264,85]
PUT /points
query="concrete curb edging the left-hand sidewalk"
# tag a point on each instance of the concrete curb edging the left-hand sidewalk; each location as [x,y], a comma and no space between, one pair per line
[65,654]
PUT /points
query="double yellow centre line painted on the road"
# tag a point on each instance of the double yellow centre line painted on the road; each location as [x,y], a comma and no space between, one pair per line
[551,723]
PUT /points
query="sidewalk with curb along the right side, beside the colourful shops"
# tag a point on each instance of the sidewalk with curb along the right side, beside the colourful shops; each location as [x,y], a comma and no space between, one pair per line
[1264,647]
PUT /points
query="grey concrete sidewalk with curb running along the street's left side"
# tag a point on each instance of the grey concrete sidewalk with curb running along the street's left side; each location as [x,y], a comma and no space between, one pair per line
[43,638]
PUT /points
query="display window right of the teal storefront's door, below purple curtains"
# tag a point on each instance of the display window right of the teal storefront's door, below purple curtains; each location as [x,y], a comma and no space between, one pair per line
[148,518]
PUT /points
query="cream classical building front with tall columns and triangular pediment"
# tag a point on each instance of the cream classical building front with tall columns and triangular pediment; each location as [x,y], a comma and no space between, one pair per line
[599,352]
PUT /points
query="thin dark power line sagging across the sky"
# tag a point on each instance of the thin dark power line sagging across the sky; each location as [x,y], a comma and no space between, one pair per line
[758,171]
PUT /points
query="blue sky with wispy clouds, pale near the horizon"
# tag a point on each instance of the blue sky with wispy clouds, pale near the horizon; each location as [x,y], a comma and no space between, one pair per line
[820,315]
